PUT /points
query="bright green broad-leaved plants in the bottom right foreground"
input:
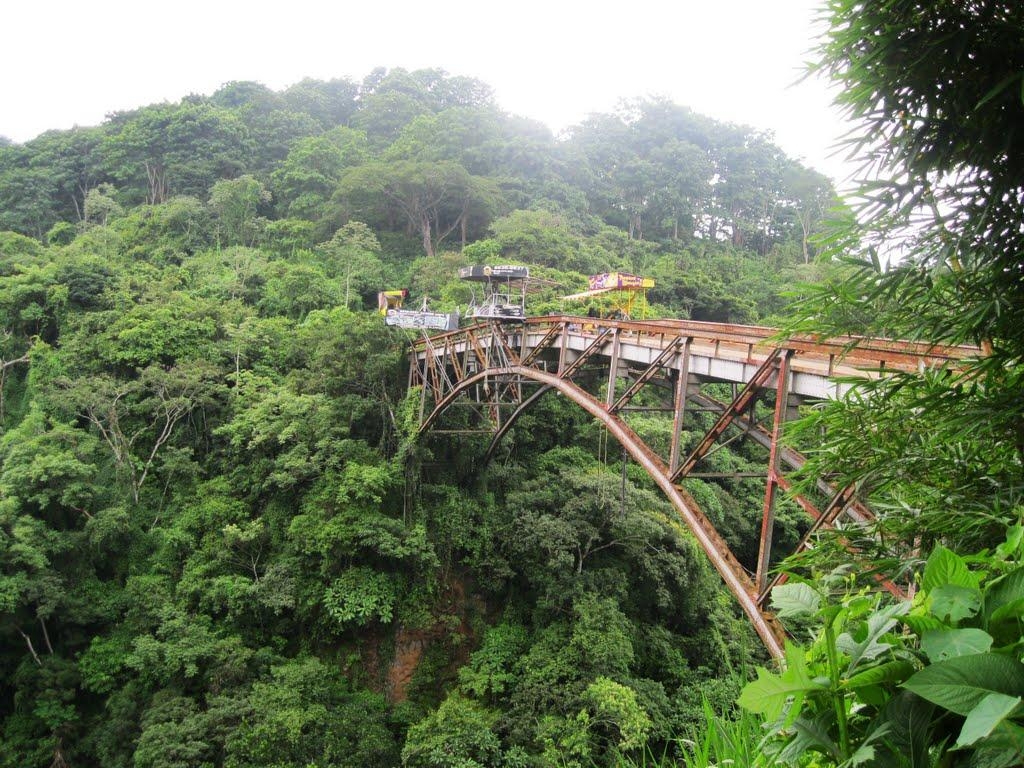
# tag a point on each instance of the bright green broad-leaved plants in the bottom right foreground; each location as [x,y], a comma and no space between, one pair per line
[934,680]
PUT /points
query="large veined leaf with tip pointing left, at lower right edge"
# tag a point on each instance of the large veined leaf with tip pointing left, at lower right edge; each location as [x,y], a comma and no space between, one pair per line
[961,684]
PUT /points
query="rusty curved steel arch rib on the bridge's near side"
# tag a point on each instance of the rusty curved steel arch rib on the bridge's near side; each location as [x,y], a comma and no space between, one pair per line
[733,573]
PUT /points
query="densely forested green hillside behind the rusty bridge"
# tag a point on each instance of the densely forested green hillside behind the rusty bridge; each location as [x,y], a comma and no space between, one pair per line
[221,543]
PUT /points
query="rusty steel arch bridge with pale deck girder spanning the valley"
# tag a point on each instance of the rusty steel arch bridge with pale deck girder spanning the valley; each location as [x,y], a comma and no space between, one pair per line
[501,370]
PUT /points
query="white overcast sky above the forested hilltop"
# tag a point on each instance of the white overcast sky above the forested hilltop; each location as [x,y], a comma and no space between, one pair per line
[64,63]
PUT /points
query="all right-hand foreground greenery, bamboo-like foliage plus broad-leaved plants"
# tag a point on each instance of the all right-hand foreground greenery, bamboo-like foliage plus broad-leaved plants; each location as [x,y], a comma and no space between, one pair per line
[936,679]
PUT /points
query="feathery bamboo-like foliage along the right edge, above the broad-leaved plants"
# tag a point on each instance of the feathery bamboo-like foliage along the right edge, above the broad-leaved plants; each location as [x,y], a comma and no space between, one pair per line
[946,211]
